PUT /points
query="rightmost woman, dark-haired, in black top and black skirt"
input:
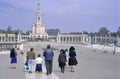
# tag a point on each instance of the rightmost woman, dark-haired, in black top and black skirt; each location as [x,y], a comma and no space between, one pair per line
[72,59]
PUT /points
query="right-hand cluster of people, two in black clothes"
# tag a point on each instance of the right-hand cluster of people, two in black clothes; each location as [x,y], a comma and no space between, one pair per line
[67,59]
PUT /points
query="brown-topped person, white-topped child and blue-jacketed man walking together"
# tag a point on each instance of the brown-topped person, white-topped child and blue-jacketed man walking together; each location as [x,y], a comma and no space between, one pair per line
[48,55]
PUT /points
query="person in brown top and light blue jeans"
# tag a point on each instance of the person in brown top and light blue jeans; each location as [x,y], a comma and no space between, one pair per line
[30,58]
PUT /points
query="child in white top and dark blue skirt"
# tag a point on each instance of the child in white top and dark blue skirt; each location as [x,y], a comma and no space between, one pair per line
[38,62]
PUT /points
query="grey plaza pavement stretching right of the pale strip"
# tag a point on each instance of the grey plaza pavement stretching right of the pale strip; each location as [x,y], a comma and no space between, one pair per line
[92,63]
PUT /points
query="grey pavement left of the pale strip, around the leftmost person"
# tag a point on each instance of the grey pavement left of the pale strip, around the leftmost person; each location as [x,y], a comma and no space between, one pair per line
[6,72]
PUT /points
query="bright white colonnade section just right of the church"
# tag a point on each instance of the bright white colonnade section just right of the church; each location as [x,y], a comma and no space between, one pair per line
[73,38]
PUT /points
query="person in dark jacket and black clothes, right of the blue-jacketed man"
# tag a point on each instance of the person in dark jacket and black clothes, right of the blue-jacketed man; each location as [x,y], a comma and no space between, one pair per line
[62,60]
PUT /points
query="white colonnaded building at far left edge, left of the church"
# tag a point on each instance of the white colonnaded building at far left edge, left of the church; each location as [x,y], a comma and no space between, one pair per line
[8,41]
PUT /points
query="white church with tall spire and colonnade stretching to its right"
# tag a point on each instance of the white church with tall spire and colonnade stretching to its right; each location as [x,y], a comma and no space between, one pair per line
[39,33]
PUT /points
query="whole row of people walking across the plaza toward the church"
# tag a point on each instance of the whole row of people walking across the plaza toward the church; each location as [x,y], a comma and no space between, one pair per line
[65,59]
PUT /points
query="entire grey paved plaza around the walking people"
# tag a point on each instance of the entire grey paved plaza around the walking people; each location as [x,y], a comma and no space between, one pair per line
[93,63]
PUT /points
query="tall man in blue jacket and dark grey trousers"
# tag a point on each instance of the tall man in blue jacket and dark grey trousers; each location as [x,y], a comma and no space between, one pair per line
[48,54]
